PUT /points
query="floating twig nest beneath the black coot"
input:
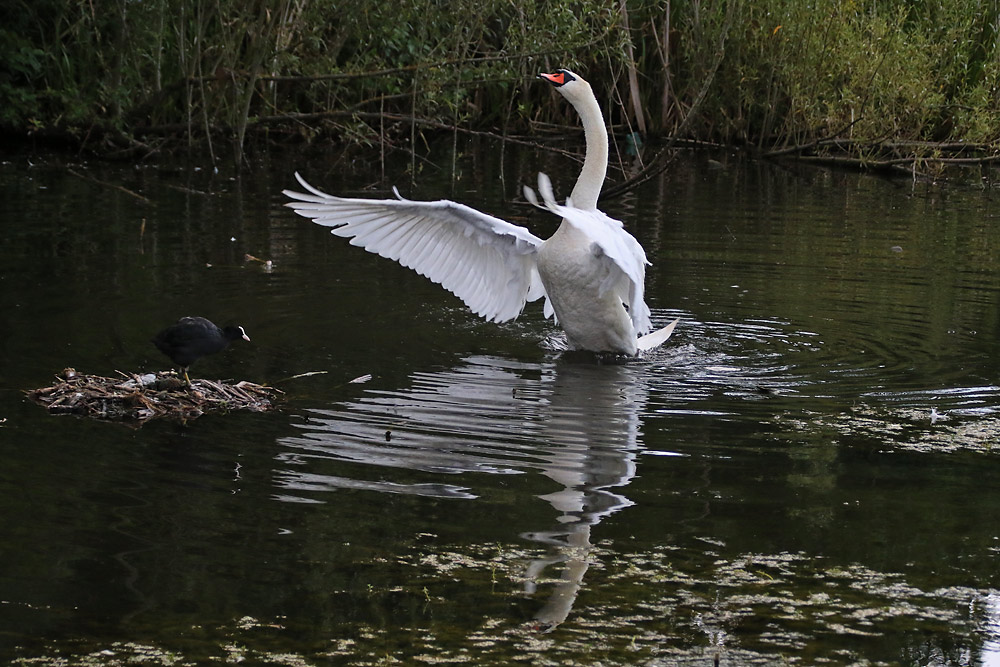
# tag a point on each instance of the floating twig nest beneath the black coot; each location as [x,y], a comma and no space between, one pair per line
[132,397]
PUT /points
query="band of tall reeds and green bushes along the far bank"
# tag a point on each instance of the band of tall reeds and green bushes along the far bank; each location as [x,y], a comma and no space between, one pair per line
[125,77]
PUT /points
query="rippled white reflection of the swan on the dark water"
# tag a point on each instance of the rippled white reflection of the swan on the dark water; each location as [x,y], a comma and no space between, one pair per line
[576,423]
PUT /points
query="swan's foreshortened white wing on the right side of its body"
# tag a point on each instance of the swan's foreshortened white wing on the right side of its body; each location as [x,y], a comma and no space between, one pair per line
[626,258]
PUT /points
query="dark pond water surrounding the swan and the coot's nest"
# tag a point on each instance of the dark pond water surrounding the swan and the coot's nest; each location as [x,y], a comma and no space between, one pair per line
[770,487]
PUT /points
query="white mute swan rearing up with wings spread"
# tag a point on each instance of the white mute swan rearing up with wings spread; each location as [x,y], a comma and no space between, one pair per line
[589,271]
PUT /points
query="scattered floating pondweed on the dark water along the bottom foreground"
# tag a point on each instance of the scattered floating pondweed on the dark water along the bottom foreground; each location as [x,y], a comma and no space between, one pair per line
[654,606]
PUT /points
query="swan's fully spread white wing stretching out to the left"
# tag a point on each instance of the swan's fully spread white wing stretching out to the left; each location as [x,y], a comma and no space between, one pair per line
[486,262]
